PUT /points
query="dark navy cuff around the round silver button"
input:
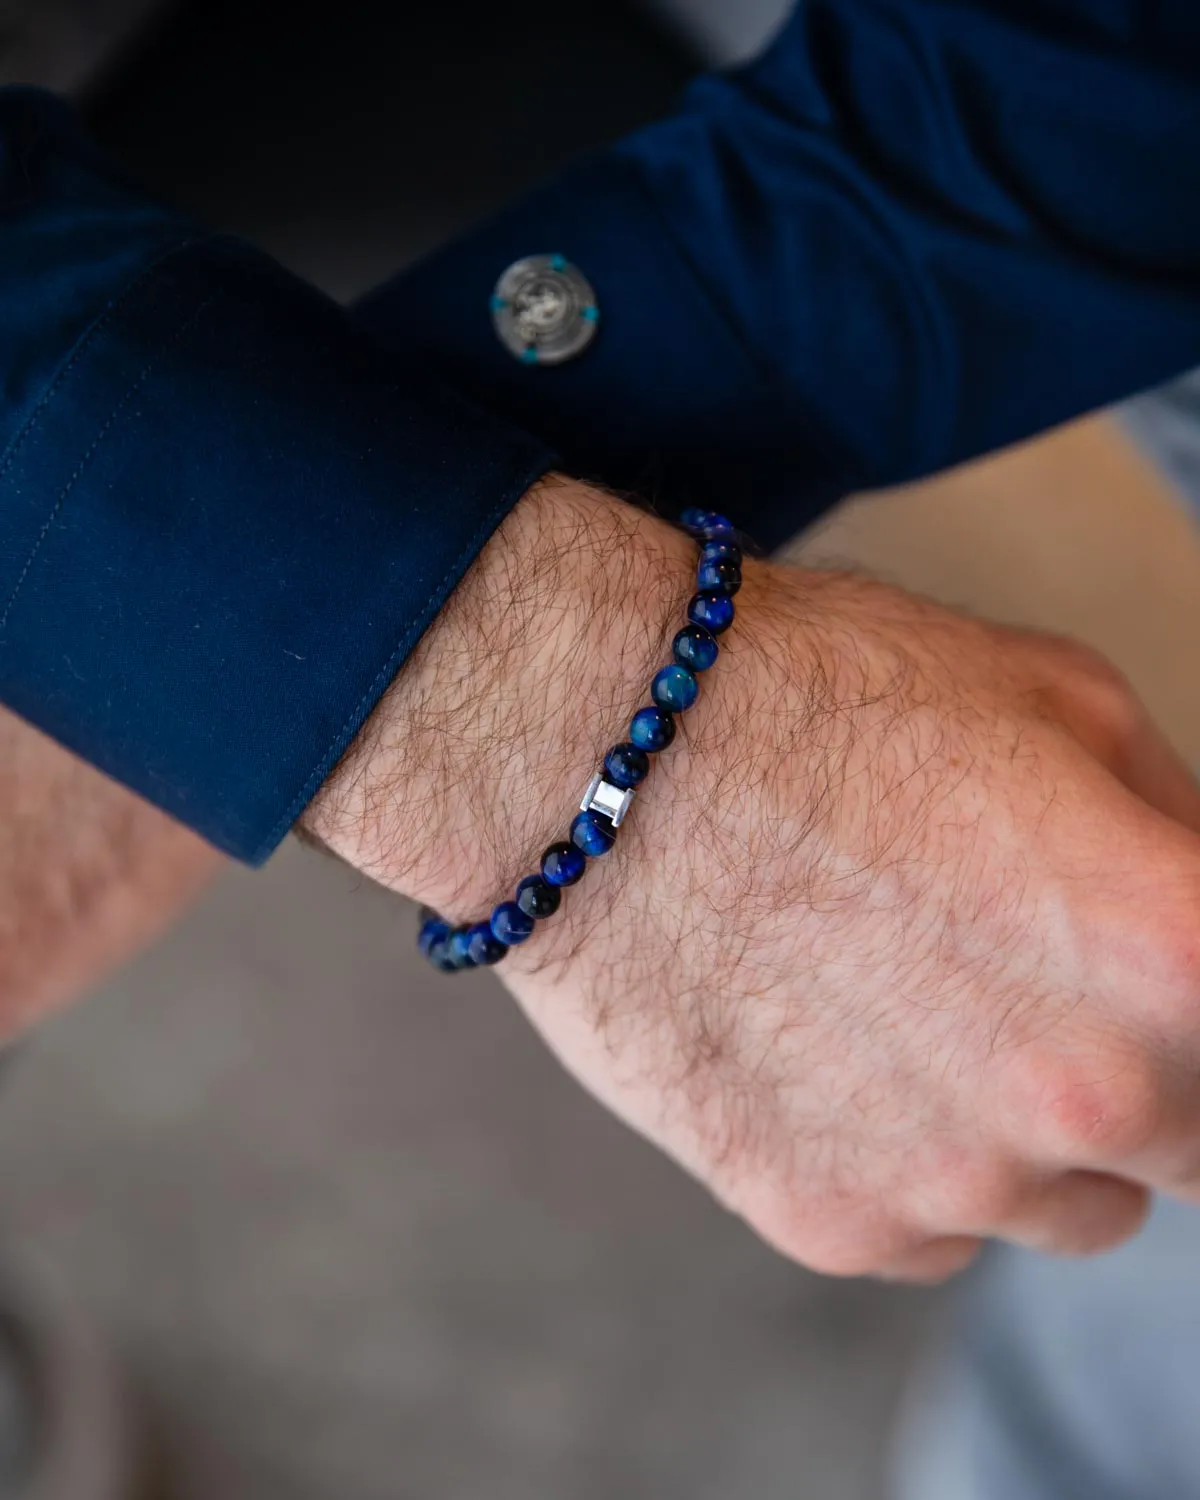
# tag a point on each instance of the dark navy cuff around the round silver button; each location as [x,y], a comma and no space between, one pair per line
[667,400]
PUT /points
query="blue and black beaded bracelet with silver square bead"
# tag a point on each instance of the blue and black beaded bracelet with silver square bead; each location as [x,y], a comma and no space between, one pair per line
[611,791]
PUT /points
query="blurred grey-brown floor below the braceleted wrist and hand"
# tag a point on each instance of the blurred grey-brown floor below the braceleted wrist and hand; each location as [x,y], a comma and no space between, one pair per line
[358,1237]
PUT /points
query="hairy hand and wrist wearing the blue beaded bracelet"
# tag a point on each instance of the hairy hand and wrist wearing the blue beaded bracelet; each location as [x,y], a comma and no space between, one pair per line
[901,944]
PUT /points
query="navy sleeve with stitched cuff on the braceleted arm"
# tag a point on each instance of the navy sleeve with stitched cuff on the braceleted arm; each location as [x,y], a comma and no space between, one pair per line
[227,509]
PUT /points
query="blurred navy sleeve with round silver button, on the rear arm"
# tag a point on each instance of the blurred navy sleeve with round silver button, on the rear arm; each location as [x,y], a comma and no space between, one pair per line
[910,233]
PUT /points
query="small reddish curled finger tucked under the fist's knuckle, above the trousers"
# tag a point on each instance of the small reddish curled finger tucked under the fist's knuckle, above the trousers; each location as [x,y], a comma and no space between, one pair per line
[1078,1214]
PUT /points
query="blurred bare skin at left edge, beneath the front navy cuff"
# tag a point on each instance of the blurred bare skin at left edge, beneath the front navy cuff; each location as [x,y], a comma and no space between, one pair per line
[89,874]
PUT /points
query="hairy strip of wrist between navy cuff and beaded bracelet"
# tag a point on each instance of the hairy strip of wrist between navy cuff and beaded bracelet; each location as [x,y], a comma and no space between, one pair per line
[478,754]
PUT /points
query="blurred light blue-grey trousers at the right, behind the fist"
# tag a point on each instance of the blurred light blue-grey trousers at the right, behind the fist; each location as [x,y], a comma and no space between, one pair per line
[1075,1381]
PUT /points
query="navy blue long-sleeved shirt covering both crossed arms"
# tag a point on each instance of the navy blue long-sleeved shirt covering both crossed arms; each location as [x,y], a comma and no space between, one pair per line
[913,232]
